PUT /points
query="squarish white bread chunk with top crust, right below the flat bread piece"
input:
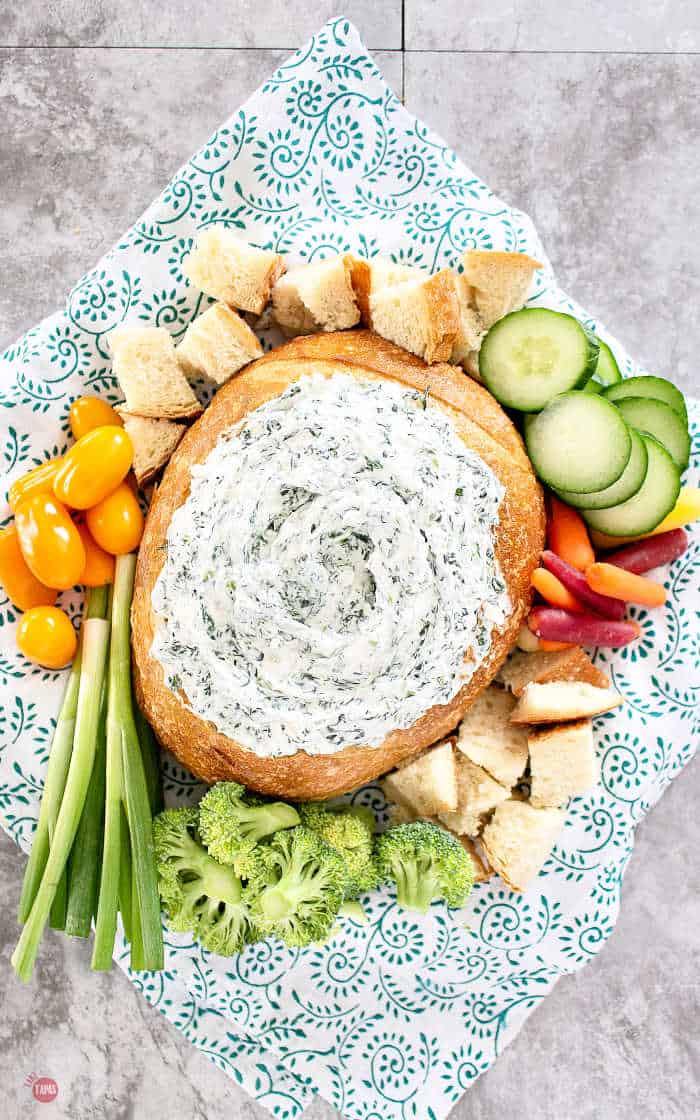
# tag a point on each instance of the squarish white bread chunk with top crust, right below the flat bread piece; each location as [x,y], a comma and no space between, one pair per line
[563,763]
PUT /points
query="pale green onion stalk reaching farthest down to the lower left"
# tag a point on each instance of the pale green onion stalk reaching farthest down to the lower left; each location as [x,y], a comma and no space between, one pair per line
[96,641]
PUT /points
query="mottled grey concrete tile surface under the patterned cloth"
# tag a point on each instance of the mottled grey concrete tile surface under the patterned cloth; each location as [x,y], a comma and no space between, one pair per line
[586,116]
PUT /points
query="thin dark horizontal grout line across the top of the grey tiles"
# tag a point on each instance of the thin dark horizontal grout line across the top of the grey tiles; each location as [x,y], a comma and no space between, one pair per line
[386,51]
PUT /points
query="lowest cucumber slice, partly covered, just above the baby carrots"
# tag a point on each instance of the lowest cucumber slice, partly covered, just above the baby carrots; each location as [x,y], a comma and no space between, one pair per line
[650,506]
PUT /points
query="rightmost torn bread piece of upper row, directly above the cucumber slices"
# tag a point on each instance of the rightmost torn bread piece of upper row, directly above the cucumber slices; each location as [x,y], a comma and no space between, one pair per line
[500,282]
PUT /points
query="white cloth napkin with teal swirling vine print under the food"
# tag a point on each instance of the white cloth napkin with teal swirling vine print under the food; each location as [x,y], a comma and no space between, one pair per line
[394,1020]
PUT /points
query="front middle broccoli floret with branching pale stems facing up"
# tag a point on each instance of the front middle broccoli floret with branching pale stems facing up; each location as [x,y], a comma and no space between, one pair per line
[298,889]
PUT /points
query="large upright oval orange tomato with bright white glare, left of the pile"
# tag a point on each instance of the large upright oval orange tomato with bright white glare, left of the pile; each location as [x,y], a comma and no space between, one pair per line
[50,542]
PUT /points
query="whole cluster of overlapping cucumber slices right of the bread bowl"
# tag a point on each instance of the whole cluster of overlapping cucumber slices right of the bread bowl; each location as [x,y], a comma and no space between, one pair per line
[614,450]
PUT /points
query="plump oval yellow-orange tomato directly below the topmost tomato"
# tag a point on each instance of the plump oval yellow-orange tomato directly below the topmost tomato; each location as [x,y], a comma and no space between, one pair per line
[94,468]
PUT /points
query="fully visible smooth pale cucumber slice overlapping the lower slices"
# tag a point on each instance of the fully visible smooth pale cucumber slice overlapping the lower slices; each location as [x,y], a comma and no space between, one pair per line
[578,443]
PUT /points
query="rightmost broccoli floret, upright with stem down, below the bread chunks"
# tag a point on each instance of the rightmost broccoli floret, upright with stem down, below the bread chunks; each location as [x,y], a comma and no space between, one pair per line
[426,863]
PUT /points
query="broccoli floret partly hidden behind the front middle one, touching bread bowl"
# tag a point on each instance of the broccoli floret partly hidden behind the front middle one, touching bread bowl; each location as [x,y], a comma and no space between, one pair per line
[350,830]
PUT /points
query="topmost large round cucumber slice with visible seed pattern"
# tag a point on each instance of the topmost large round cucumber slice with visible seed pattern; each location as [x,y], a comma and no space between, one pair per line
[533,356]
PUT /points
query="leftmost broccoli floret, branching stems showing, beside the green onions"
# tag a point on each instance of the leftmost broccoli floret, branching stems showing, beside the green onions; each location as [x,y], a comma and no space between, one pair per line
[200,895]
